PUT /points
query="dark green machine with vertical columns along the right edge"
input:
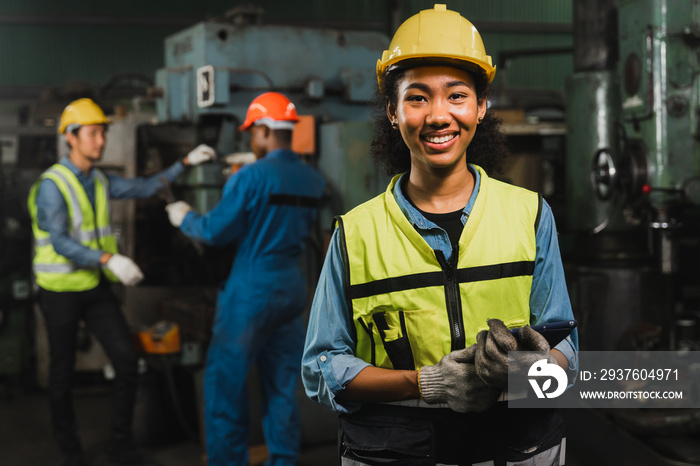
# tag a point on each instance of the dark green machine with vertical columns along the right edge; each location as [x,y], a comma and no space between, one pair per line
[633,197]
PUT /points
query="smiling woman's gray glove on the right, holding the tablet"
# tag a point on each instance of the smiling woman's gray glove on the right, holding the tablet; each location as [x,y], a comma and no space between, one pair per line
[492,352]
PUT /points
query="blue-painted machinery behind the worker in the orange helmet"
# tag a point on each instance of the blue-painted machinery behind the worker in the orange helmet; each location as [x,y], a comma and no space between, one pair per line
[213,70]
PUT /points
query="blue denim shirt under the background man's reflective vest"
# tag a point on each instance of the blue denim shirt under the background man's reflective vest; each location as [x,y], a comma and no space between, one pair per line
[52,211]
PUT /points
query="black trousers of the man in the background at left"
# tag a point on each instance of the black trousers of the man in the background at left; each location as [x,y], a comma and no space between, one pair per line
[100,309]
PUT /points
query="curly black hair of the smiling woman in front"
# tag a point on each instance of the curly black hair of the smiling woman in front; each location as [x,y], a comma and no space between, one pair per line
[488,148]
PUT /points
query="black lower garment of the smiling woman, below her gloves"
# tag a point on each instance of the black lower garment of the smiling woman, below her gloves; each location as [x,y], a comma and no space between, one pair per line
[381,434]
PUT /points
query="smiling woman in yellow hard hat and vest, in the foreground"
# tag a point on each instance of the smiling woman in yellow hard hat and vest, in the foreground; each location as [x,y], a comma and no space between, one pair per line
[408,335]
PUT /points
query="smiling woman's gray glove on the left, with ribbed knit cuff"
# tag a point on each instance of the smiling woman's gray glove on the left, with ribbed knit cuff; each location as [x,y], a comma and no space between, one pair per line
[454,381]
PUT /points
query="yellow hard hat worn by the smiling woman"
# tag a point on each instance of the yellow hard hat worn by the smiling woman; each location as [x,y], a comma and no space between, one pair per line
[440,34]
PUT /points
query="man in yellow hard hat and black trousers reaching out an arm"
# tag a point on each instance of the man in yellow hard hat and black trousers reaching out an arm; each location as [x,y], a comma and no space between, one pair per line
[76,260]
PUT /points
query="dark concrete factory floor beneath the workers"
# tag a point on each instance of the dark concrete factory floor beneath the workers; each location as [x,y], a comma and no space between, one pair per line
[26,440]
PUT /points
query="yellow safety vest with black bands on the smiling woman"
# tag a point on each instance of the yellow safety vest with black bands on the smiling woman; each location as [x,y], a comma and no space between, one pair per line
[409,305]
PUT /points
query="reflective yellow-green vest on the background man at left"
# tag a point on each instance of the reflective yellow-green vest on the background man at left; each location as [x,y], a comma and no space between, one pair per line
[91,228]
